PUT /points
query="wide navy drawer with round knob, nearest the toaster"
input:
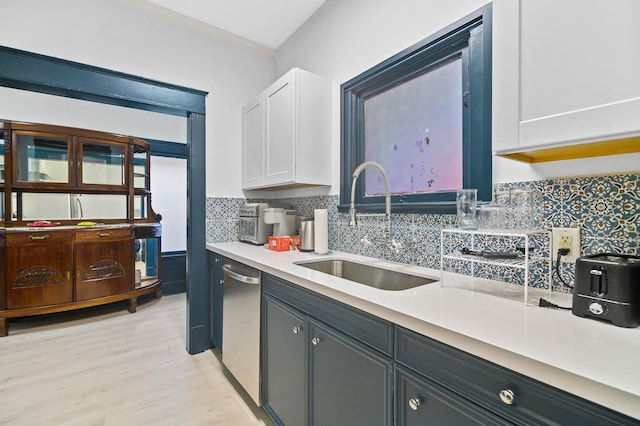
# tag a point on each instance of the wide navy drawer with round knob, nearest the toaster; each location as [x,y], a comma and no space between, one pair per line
[480,381]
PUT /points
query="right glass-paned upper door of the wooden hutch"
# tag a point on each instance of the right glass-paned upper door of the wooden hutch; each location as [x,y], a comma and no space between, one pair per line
[103,163]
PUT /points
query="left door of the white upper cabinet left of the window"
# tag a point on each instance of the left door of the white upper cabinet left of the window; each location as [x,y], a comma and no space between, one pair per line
[253,144]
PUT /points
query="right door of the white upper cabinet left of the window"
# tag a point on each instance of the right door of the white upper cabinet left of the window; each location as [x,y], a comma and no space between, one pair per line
[280,121]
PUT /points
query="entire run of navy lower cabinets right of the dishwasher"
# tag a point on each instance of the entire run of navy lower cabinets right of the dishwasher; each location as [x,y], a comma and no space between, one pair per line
[326,363]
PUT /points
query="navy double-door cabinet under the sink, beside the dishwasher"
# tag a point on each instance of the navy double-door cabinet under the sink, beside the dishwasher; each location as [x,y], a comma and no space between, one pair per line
[316,374]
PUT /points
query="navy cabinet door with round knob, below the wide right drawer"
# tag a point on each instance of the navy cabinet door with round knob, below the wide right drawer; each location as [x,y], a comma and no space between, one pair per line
[419,401]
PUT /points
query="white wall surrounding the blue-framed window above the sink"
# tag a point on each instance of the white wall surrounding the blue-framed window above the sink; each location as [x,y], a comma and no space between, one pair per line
[346,38]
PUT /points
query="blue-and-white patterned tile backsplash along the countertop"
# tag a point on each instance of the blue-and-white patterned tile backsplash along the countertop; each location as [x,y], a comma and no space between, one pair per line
[605,208]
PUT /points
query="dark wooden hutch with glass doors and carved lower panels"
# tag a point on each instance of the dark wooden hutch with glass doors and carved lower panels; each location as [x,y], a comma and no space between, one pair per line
[76,224]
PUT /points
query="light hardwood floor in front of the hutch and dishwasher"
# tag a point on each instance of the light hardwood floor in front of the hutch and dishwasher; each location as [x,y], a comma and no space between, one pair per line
[105,366]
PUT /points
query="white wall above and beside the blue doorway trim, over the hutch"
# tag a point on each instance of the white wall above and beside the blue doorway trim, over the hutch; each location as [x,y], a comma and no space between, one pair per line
[136,37]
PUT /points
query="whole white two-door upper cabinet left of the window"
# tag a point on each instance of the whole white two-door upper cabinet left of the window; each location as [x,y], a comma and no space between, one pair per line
[287,133]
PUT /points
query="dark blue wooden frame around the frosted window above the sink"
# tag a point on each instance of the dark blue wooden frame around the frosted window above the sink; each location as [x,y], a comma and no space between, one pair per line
[469,38]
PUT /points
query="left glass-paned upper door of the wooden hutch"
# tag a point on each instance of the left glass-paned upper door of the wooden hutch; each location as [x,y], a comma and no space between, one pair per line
[42,158]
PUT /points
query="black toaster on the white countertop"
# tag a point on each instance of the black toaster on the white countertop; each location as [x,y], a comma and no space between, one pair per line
[607,287]
